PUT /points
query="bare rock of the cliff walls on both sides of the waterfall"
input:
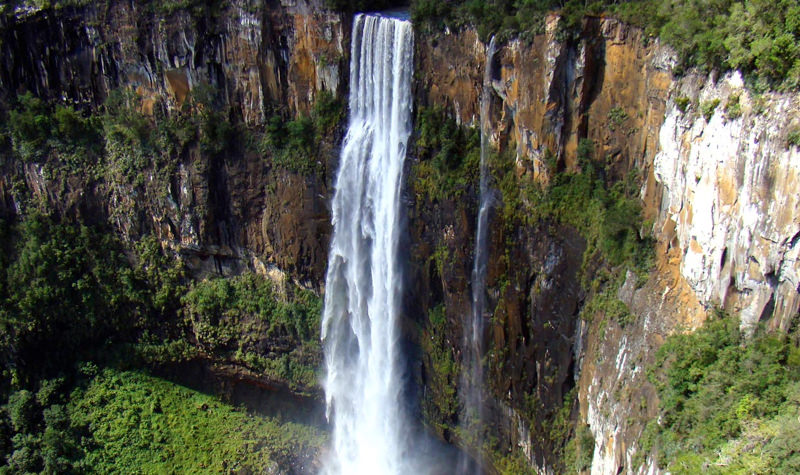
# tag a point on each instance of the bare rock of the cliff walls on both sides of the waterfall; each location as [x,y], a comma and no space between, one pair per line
[720,193]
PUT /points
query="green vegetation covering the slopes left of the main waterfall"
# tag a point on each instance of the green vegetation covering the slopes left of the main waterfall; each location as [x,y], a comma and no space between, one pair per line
[77,306]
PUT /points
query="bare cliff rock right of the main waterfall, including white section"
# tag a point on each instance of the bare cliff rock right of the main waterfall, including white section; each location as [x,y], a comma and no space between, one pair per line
[719,192]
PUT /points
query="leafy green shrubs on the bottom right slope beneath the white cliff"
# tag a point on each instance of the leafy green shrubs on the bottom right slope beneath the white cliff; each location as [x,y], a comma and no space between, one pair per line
[713,385]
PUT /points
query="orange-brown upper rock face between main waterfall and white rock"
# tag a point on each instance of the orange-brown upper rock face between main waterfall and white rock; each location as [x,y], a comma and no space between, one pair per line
[553,93]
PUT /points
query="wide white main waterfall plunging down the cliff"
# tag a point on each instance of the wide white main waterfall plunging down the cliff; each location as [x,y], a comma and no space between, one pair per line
[362,298]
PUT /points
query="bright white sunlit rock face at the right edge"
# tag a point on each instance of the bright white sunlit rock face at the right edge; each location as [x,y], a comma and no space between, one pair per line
[730,200]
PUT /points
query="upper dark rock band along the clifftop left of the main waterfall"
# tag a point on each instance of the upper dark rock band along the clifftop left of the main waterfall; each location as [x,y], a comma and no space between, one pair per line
[262,56]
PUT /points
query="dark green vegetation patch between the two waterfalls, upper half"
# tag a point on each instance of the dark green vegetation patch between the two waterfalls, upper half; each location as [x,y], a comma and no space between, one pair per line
[449,156]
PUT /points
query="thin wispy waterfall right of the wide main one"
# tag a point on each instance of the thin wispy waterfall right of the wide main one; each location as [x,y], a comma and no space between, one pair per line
[472,367]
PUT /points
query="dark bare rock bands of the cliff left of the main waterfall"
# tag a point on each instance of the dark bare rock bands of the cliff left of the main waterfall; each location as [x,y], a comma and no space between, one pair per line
[224,212]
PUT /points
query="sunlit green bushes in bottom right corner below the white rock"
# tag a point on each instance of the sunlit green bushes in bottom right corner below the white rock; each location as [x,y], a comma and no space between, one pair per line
[728,403]
